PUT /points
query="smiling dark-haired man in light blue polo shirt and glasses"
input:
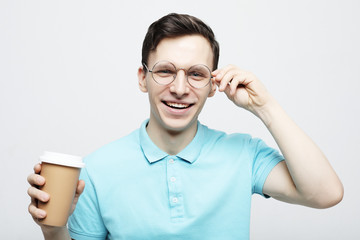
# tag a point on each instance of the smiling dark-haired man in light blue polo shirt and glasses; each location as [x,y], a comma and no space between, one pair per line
[175,178]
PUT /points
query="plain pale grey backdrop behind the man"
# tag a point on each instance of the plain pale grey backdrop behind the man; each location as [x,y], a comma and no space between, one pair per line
[68,83]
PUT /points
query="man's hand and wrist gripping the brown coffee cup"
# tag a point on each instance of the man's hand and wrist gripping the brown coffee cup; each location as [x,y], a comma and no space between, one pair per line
[35,180]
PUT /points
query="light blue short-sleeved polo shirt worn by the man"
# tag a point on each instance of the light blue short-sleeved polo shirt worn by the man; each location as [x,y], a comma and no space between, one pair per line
[136,191]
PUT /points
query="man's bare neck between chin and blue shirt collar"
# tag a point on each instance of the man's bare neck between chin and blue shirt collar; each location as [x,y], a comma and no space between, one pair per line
[169,140]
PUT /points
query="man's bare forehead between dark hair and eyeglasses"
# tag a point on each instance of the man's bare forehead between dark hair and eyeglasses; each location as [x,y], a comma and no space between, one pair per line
[183,51]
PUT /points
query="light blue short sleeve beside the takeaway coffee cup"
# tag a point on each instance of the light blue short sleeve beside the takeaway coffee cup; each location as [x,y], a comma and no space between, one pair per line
[86,222]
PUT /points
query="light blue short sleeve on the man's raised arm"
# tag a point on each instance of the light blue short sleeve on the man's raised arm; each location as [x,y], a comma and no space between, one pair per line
[265,159]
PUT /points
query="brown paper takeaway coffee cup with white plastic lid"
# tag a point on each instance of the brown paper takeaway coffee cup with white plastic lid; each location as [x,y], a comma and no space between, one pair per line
[61,173]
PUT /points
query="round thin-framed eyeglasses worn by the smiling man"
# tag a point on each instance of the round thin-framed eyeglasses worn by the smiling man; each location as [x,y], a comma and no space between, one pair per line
[164,73]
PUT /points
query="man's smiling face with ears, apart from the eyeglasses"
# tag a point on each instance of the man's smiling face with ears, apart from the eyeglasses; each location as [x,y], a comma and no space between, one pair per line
[176,107]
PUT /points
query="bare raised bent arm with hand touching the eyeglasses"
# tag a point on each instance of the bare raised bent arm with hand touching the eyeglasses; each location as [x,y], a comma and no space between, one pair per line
[306,177]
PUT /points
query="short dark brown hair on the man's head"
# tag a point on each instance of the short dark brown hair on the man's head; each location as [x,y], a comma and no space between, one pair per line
[176,25]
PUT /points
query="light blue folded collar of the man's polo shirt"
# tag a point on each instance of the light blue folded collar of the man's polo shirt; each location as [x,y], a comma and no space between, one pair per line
[153,153]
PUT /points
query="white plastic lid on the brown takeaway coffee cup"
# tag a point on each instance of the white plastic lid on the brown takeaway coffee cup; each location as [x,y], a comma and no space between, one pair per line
[62,159]
